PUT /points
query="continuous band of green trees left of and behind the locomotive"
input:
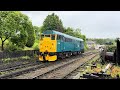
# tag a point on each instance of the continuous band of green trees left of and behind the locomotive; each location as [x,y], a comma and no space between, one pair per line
[18,29]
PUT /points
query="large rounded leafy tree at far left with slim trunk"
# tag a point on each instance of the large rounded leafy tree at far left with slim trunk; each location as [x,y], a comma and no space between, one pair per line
[17,27]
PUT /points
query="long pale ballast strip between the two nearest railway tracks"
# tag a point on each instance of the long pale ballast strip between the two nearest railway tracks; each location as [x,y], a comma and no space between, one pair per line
[43,71]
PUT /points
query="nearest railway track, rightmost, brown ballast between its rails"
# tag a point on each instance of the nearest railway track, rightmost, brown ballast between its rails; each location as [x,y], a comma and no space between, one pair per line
[61,71]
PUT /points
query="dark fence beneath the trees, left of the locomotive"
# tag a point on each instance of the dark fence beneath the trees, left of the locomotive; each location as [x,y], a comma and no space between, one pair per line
[17,54]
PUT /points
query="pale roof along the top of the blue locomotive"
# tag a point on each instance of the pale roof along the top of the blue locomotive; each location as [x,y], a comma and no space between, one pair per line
[59,33]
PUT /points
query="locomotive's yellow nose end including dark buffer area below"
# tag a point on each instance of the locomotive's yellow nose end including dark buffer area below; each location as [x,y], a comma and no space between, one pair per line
[48,46]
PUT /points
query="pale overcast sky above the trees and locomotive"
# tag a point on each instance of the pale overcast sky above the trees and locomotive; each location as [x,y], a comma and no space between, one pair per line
[94,24]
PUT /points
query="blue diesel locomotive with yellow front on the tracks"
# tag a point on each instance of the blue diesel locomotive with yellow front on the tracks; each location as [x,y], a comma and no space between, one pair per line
[54,45]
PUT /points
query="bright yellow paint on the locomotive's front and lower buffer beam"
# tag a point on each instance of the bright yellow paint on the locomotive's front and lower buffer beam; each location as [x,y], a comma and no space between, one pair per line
[50,46]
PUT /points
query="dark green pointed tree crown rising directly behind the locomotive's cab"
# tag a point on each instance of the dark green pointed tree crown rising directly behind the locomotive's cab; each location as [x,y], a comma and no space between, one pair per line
[52,22]
